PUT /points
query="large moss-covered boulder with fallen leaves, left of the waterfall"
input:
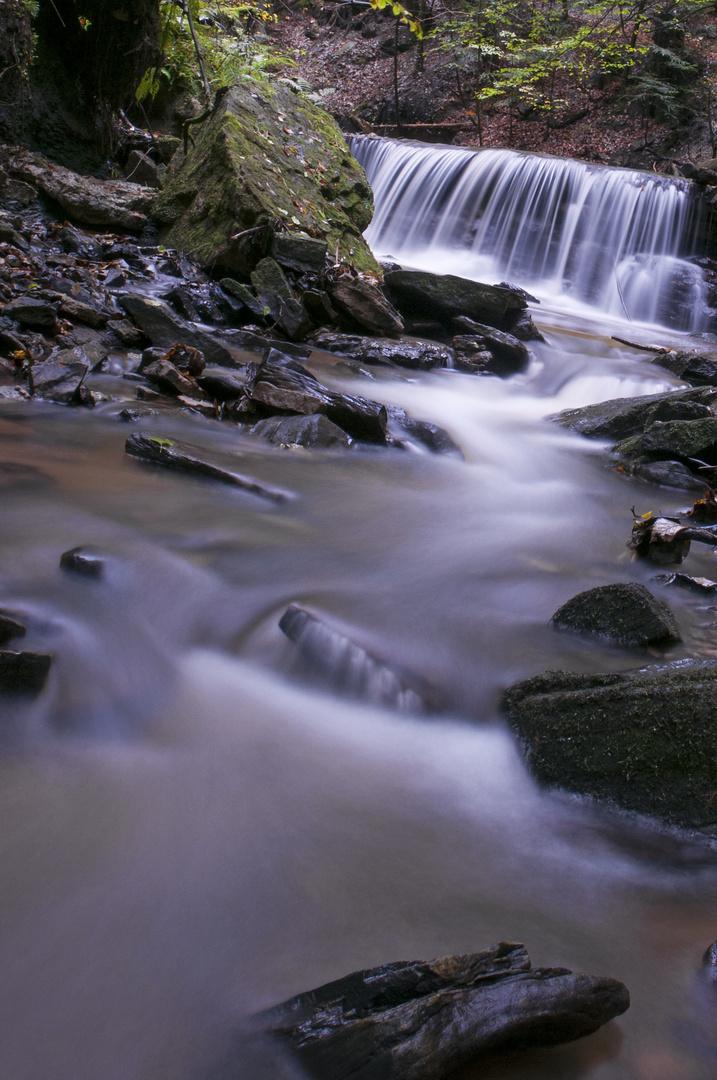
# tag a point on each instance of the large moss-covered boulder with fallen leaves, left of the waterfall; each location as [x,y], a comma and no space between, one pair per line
[265,160]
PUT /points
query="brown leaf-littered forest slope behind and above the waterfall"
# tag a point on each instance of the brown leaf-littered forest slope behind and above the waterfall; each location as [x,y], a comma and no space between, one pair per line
[348,61]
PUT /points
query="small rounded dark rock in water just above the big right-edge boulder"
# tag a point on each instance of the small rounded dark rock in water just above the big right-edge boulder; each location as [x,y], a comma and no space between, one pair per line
[623,614]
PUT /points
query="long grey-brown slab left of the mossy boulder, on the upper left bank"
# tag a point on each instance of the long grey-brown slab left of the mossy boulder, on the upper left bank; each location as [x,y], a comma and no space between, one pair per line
[112,204]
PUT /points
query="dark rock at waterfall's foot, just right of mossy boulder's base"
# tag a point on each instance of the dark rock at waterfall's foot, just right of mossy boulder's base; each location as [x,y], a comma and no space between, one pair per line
[445,298]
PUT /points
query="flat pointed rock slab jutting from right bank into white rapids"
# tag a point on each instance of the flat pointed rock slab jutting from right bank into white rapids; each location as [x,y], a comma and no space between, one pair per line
[625,417]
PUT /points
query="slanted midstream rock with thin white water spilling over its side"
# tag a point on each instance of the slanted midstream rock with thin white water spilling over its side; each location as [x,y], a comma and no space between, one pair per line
[329,656]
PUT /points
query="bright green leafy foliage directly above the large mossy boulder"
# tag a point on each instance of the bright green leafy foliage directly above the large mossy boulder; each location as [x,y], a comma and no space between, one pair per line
[229,45]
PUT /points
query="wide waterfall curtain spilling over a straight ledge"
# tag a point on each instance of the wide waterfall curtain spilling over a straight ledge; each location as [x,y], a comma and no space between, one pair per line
[615,240]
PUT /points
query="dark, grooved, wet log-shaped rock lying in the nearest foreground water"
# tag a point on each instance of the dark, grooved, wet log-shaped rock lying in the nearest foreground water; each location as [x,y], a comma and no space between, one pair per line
[414,1020]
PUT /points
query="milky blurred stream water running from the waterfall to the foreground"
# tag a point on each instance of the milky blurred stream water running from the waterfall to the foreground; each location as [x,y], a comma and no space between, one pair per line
[193,832]
